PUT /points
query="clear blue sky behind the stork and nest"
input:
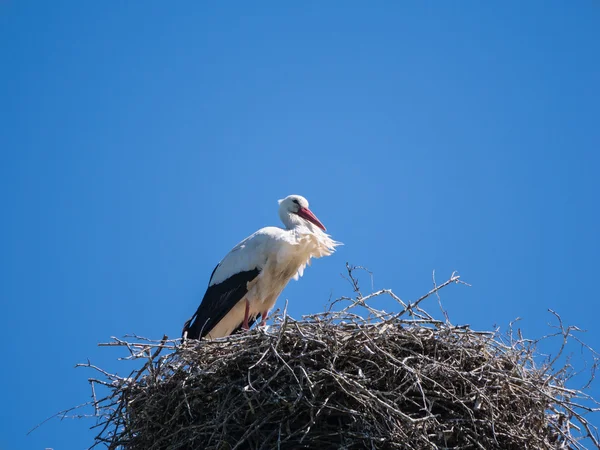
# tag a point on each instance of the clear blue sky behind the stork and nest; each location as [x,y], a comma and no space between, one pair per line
[140,141]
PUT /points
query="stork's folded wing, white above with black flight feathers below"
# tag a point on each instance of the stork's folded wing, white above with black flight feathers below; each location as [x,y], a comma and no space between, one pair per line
[228,282]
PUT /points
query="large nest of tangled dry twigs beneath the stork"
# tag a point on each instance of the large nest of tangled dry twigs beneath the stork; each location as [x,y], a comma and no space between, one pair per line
[343,380]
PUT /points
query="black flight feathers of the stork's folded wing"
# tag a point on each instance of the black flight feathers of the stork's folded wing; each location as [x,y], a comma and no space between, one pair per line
[217,302]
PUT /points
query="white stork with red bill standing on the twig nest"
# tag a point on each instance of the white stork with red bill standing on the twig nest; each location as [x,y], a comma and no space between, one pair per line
[247,282]
